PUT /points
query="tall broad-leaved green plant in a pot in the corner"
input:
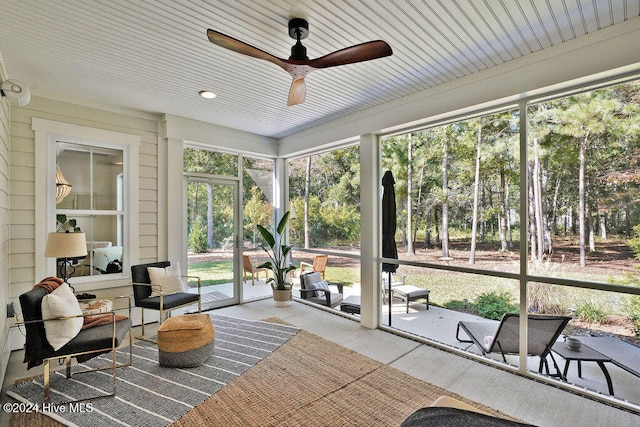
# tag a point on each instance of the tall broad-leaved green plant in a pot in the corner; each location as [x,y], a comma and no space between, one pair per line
[278,262]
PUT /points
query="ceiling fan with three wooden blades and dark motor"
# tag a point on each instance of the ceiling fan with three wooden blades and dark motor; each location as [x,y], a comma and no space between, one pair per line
[298,64]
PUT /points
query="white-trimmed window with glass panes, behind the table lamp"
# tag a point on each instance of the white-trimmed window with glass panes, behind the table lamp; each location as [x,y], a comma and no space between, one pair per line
[102,168]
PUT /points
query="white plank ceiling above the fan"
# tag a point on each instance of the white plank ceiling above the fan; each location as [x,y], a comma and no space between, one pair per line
[154,55]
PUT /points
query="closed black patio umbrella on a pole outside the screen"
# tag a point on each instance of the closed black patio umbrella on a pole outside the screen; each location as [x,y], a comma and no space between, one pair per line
[389,225]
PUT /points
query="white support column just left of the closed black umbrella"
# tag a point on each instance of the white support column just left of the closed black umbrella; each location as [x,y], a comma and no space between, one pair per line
[370,231]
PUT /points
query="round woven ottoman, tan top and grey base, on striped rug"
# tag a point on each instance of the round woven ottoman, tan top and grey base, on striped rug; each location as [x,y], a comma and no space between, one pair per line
[185,341]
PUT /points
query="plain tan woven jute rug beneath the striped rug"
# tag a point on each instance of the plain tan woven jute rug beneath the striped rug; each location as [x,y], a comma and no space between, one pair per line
[309,381]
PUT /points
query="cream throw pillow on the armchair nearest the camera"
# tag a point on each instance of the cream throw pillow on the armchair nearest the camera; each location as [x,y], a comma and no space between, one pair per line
[61,303]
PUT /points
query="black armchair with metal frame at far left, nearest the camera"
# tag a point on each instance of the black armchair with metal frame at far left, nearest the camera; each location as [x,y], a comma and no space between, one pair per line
[87,343]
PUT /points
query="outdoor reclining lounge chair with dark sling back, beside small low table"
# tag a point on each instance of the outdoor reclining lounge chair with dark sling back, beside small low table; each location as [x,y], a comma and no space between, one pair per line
[543,332]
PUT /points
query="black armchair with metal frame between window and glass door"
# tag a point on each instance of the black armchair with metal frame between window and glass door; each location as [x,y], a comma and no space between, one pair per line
[142,294]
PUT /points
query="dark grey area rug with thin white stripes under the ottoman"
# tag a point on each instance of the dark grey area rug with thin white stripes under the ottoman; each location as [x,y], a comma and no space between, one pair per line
[149,394]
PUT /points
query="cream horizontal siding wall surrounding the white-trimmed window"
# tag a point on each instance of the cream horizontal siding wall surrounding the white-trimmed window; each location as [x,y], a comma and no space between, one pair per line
[22,180]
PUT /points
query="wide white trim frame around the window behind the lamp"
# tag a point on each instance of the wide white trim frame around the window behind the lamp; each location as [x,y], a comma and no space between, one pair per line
[47,133]
